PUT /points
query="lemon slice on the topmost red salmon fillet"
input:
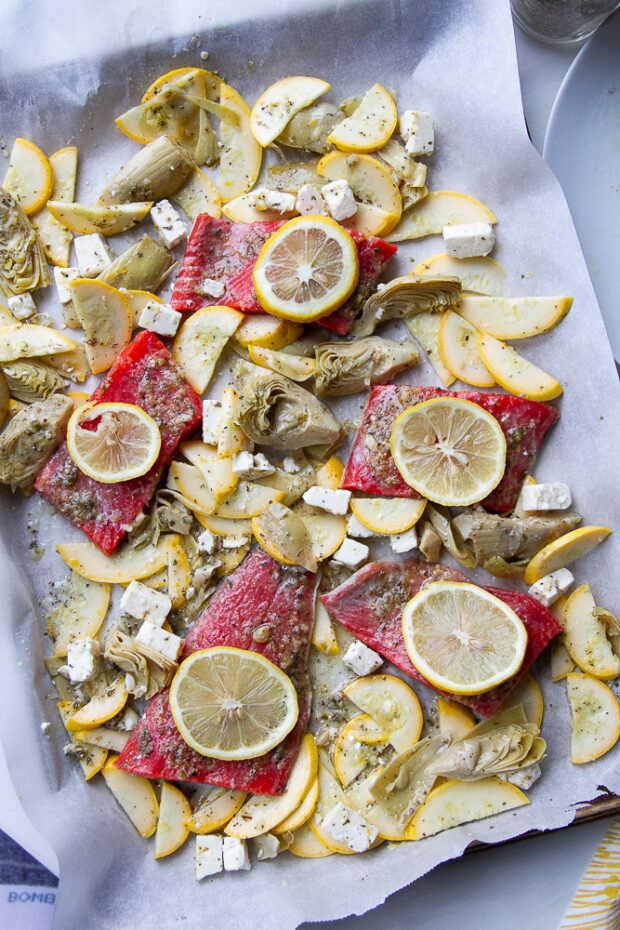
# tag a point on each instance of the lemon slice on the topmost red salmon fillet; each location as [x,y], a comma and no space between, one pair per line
[306,269]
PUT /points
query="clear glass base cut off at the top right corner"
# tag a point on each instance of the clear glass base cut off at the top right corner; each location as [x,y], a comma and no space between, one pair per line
[561,22]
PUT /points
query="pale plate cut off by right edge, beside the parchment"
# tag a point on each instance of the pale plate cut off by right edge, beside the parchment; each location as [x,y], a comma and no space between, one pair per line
[582,146]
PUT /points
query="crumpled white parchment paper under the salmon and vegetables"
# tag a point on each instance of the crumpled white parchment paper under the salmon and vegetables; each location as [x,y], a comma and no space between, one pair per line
[457,61]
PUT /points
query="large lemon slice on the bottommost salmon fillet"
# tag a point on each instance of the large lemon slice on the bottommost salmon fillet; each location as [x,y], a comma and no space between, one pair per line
[231,703]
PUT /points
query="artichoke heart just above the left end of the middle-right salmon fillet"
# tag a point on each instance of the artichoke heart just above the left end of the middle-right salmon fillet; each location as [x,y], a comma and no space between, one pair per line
[349,367]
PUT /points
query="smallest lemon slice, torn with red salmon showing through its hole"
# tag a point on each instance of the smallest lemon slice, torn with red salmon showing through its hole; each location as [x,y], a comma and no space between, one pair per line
[113,442]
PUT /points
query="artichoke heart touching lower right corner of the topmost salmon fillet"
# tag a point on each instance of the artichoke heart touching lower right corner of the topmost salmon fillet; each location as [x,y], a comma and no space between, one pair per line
[404,297]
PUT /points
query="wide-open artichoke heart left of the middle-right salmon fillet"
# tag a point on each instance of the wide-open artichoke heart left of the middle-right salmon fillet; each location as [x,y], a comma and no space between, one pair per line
[277,412]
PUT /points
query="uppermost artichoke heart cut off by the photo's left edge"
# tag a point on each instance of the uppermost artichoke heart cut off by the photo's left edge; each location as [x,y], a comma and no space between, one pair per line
[22,262]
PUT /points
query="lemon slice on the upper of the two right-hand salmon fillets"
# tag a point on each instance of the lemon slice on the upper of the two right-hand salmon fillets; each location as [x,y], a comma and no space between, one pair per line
[450,450]
